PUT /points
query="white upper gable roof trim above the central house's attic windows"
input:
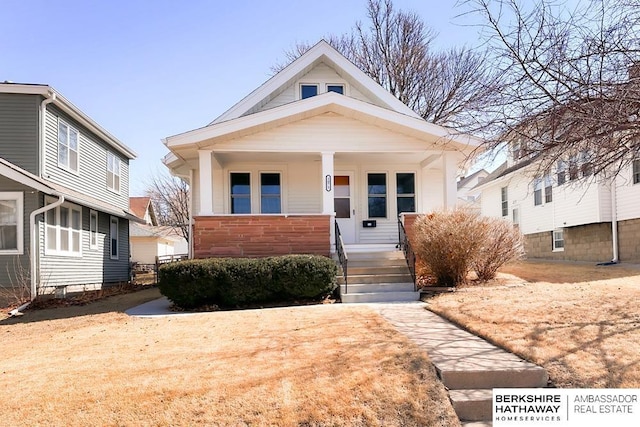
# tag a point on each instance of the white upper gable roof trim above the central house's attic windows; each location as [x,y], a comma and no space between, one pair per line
[321,52]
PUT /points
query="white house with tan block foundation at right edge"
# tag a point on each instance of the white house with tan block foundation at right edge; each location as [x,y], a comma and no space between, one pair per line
[568,213]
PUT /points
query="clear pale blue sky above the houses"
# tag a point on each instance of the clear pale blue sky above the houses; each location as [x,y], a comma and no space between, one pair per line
[145,70]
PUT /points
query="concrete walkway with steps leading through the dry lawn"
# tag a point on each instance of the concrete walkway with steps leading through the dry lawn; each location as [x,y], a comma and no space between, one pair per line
[467,365]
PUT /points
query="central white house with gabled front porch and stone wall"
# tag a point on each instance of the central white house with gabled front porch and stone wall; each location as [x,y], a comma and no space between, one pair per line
[317,144]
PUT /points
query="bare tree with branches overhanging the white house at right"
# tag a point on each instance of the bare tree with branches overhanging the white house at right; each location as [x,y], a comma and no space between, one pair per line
[571,88]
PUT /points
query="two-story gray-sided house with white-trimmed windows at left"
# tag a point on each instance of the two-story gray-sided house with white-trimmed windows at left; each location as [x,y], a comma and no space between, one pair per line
[64,194]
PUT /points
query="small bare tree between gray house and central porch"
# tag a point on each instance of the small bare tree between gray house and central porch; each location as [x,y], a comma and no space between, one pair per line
[170,197]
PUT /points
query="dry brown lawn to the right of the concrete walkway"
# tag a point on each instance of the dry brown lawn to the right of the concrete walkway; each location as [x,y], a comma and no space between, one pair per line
[580,322]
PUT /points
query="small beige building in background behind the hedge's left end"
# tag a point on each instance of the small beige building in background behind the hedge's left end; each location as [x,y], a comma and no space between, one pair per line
[149,240]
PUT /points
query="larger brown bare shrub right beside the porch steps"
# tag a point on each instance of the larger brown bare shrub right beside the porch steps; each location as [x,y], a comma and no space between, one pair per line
[448,242]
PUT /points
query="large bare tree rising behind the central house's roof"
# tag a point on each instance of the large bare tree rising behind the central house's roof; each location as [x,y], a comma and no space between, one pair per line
[395,48]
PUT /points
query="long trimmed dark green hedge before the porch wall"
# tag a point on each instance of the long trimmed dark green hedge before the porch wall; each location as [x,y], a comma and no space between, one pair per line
[229,282]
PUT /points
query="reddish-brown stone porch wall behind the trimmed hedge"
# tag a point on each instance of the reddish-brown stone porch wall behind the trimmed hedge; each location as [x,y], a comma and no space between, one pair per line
[261,235]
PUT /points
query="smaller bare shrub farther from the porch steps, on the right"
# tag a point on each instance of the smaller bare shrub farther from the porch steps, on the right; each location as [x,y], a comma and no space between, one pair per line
[502,243]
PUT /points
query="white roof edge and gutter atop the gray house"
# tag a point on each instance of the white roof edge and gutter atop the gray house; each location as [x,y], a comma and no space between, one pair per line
[65,105]
